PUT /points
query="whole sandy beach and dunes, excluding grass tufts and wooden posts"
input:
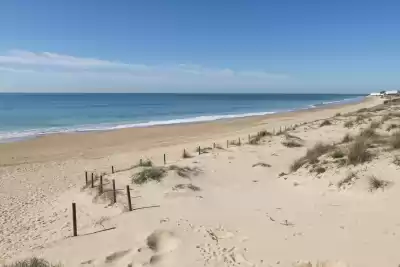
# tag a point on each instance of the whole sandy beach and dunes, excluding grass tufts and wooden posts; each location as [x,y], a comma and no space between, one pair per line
[228,211]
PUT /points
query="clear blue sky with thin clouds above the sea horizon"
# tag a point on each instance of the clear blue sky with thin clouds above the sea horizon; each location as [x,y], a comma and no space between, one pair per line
[269,46]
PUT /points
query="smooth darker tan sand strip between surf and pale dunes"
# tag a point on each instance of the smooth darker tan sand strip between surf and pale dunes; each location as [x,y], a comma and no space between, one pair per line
[96,144]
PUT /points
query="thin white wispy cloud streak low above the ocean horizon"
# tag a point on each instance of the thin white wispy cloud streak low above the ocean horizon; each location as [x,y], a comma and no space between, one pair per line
[144,76]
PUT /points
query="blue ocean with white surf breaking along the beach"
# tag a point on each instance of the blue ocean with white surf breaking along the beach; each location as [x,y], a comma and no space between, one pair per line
[30,115]
